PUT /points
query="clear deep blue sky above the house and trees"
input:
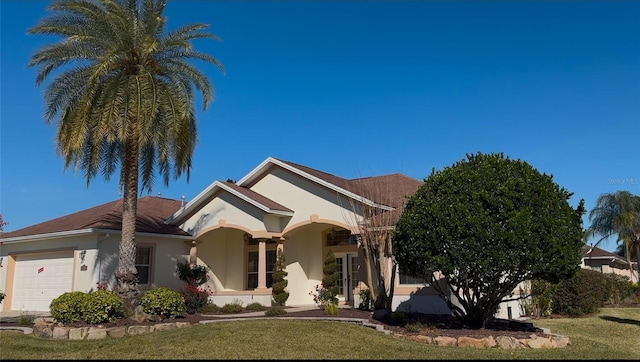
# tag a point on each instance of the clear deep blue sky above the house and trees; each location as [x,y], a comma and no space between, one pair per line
[361,88]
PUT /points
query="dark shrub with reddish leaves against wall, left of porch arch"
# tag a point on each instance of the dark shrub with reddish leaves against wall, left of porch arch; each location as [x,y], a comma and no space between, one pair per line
[195,296]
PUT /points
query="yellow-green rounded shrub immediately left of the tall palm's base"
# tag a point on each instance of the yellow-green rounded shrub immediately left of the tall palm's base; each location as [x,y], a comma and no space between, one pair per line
[102,306]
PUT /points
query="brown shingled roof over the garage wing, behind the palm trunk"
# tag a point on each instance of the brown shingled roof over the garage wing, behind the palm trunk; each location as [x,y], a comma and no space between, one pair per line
[151,214]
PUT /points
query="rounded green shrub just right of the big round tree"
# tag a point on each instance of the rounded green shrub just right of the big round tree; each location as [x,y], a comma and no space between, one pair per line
[583,294]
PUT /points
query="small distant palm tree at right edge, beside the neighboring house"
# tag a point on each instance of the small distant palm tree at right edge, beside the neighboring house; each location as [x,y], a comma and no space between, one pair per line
[617,214]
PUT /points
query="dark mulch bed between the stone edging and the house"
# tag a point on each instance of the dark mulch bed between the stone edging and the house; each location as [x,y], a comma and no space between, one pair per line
[412,323]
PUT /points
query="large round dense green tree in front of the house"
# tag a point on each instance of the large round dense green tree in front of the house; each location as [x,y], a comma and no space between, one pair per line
[477,229]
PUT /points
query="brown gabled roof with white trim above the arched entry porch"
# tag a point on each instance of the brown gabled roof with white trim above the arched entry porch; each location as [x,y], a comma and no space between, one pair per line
[384,192]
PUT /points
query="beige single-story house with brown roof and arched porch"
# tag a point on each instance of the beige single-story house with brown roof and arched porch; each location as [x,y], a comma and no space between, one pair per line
[233,228]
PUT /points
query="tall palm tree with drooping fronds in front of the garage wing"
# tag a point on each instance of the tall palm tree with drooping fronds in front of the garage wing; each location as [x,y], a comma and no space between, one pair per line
[123,96]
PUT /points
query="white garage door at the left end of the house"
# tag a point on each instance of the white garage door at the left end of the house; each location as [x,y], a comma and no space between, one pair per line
[39,278]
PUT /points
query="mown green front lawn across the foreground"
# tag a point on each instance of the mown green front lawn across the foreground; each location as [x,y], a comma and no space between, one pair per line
[612,334]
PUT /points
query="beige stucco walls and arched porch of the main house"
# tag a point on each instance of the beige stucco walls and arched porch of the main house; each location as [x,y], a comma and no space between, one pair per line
[225,227]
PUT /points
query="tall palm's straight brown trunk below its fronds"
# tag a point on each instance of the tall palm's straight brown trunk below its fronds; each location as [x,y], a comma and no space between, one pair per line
[126,275]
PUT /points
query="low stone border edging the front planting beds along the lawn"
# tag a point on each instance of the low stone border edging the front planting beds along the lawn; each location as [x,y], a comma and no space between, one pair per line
[47,328]
